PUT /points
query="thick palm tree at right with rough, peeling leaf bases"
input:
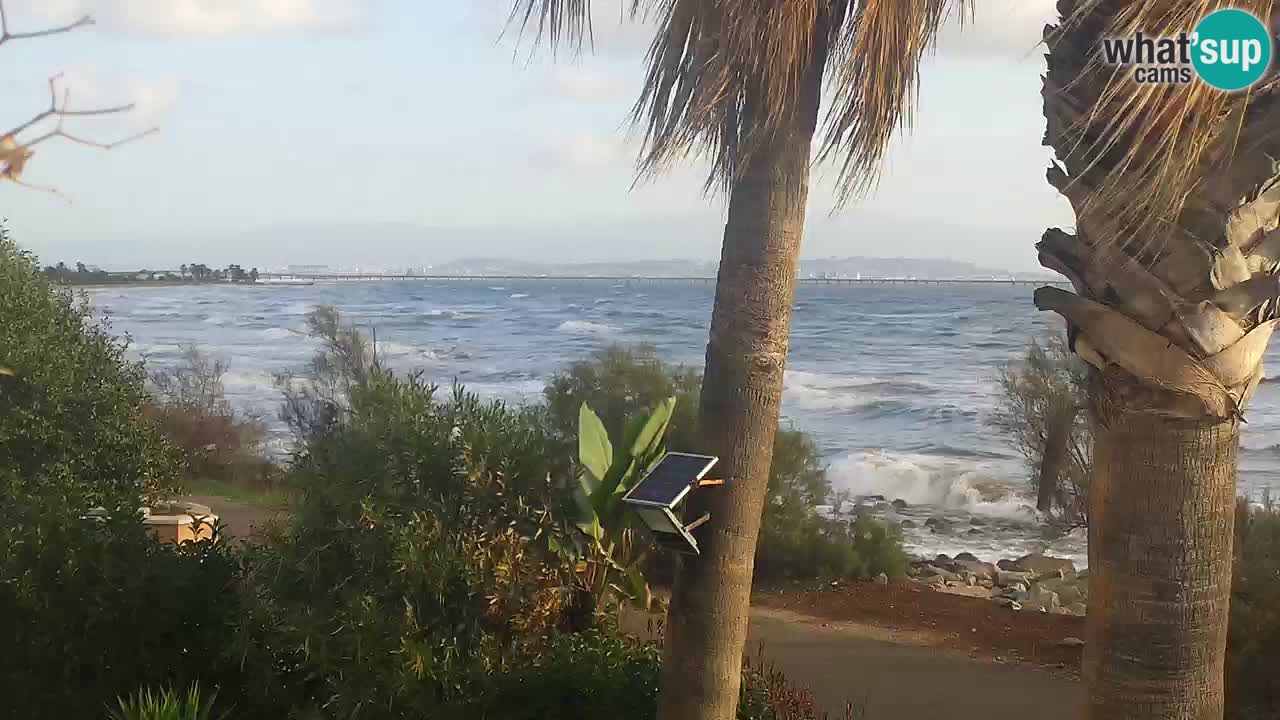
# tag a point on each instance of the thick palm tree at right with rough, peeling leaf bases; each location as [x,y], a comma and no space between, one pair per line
[1174,262]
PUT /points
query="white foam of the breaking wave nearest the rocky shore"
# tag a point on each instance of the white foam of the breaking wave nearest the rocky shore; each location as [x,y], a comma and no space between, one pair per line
[930,481]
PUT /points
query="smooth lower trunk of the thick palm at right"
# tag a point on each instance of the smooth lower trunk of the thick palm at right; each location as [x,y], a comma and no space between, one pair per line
[1163,504]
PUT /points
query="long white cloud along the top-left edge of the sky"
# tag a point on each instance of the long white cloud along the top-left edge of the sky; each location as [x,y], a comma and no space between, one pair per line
[205,17]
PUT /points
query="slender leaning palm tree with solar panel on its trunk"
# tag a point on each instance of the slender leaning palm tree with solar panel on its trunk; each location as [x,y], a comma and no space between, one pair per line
[740,83]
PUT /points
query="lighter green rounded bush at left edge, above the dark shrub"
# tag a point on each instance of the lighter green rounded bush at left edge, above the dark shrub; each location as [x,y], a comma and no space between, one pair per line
[72,409]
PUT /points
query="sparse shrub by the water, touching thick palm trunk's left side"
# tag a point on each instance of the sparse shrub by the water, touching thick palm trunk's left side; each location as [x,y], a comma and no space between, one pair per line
[1043,412]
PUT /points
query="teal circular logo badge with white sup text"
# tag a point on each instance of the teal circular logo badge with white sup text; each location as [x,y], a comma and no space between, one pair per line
[1232,49]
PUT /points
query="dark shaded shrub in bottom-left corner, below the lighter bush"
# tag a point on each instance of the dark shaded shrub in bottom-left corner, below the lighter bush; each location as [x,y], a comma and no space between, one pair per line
[89,610]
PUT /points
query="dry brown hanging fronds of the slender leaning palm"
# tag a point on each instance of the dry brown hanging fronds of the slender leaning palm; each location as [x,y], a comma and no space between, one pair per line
[728,78]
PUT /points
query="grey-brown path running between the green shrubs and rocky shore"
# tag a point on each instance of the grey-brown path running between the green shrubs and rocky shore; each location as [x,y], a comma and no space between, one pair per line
[903,672]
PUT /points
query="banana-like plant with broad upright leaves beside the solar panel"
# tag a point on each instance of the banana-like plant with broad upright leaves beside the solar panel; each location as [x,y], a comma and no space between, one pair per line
[611,567]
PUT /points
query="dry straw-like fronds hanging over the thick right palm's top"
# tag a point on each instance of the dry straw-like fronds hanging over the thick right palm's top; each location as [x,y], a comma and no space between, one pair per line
[1142,149]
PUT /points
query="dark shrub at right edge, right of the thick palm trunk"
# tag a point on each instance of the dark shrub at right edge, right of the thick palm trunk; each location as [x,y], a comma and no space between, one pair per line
[1254,642]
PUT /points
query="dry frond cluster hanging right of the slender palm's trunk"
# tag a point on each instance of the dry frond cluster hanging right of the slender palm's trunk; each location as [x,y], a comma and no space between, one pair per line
[876,62]
